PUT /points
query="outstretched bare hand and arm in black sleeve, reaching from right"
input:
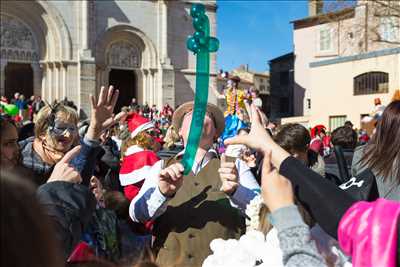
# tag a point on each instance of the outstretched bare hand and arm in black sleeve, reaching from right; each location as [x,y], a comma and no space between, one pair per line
[323,200]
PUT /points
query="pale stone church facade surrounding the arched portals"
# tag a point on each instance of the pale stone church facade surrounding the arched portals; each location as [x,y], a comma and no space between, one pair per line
[65,69]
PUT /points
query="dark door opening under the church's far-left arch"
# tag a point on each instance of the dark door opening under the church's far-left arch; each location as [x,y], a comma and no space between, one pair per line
[18,78]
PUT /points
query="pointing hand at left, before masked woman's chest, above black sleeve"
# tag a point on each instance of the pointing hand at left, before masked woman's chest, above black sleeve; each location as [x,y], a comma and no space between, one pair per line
[63,171]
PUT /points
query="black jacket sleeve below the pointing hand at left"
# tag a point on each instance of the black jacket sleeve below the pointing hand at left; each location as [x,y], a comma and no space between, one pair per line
[70,206]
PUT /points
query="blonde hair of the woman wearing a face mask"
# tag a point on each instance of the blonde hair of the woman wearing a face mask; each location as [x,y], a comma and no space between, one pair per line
[60,110]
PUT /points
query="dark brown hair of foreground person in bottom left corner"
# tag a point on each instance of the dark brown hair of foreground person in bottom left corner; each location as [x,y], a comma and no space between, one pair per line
[27,236]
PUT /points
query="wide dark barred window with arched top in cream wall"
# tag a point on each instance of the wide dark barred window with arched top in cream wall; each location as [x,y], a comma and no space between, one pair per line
[371,83]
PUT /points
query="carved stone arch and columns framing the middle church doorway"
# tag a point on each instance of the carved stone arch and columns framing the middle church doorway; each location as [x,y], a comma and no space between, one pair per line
[124,47]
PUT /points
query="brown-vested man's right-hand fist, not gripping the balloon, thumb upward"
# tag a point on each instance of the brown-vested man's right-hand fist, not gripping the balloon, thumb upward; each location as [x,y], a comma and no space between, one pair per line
[228,175]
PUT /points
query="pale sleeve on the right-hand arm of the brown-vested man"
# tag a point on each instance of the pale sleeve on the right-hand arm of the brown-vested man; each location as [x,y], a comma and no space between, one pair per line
[248,187]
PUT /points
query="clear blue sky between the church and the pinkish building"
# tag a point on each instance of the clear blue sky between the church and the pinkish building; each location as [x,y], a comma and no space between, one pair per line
[253,32]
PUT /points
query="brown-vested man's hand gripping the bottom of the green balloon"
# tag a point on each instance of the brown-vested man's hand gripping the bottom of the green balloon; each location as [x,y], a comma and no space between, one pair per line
[171,179]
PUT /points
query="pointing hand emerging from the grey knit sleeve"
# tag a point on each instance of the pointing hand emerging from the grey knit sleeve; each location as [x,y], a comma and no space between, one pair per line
[276,190]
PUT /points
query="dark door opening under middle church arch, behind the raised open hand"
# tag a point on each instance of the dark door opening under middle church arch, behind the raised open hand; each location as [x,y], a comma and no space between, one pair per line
[126,82]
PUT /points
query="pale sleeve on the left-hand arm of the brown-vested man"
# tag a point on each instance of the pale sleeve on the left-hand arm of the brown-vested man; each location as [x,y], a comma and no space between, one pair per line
[149,202]
